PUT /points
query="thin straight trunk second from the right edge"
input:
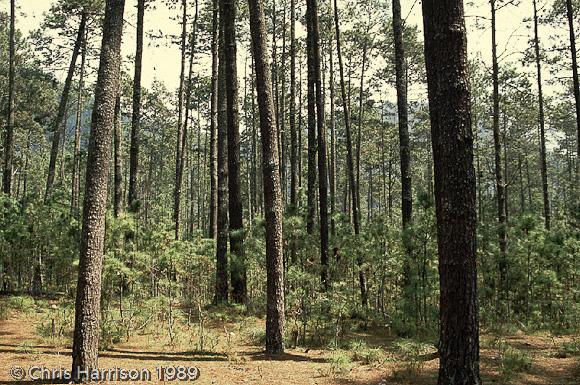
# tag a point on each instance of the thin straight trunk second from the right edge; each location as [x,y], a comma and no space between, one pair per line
[544,168]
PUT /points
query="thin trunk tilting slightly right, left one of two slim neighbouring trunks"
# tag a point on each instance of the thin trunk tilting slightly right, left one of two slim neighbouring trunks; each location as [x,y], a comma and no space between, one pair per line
[180,126]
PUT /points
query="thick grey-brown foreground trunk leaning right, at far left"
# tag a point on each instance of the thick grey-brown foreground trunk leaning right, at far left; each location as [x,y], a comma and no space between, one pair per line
[88,298]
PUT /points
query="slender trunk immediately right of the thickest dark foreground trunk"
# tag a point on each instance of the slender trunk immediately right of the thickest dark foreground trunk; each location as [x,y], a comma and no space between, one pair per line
[499,181]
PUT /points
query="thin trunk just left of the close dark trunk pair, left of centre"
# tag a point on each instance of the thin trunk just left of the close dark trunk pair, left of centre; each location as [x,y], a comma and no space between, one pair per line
[213,125]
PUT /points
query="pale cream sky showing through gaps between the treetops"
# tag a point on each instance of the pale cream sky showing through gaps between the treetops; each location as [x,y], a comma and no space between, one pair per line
[163,62]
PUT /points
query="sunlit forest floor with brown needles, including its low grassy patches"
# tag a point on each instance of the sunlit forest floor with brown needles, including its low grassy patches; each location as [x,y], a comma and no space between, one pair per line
[232,356]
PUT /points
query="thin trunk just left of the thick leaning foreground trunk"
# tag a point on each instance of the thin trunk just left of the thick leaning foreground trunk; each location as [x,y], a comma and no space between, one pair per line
[76,176]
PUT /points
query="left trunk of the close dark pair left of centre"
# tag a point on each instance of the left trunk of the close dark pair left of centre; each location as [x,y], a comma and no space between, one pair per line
[222,177]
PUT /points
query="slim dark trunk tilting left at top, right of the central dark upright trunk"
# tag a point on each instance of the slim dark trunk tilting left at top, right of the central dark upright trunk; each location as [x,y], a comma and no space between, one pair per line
[350,158]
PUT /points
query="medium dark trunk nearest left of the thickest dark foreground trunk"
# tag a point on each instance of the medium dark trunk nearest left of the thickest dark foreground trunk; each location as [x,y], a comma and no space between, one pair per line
[402,110]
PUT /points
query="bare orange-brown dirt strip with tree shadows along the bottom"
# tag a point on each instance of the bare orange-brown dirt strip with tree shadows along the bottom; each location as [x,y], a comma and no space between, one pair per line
[241,362]
